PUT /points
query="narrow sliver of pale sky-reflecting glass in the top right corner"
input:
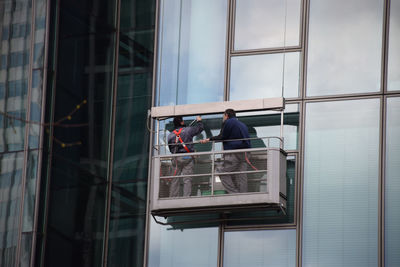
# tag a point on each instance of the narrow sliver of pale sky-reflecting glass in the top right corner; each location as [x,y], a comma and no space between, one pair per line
[394,47]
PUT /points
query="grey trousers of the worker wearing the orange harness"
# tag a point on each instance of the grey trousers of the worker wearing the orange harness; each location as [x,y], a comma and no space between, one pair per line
[183,166]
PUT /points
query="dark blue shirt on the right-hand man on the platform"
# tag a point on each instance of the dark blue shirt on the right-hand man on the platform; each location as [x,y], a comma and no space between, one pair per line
[235,129]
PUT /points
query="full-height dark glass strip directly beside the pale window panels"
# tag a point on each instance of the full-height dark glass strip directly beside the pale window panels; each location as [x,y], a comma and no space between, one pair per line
[131,140]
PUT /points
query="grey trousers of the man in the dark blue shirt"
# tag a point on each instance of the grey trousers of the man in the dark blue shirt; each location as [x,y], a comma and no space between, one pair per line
[235,183]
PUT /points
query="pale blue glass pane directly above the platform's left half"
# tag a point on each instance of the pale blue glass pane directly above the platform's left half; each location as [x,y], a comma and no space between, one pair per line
[192,47]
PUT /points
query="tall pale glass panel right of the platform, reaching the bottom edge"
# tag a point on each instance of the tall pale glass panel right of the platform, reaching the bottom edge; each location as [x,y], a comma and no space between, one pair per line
[341,170]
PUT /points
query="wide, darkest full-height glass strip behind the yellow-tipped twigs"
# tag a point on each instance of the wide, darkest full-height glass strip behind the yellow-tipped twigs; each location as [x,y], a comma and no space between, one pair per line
[82,115]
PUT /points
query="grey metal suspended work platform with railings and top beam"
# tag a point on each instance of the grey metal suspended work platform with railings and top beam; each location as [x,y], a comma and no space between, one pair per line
[258,174]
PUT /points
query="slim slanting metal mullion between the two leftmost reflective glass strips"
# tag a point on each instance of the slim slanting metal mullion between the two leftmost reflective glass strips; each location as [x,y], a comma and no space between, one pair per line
[26,137]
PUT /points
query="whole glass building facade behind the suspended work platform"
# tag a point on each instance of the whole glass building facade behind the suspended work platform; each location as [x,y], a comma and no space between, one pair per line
[77,81]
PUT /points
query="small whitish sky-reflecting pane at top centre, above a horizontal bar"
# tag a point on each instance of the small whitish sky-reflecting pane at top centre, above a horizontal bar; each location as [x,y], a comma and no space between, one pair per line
[261,23]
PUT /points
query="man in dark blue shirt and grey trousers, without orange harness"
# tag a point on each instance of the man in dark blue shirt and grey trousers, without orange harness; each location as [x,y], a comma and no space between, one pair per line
[233,129]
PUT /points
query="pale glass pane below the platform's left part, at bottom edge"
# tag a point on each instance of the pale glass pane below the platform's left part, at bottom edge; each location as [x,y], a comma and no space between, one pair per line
[195,247]
